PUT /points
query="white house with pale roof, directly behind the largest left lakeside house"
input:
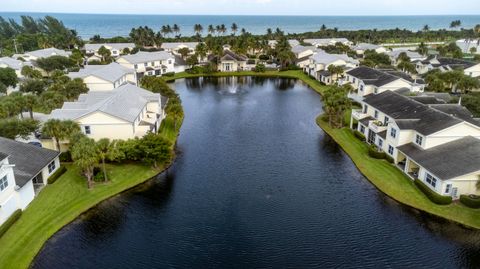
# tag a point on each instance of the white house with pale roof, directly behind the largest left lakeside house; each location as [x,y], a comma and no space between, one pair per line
[105,77]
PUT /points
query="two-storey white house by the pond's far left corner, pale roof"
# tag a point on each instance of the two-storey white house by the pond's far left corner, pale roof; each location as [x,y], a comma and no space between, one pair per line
[149,63]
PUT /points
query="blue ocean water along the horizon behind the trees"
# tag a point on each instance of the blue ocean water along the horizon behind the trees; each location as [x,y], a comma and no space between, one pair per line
[88,25]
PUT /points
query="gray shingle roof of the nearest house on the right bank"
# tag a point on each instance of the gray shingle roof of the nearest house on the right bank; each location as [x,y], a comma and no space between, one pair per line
[462,155]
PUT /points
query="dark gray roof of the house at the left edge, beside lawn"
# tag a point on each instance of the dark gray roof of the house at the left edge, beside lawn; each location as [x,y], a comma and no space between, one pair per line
[29,160]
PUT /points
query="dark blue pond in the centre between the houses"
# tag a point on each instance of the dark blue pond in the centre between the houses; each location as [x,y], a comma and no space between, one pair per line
[257,185]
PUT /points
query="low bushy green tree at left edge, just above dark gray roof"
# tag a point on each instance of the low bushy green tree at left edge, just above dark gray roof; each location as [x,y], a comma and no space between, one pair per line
[13,127]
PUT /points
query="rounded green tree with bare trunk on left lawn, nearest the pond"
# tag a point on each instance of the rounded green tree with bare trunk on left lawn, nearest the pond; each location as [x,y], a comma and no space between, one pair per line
[85,156]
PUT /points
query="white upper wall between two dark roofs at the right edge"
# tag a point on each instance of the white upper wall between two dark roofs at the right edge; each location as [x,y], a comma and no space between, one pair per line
[451,134]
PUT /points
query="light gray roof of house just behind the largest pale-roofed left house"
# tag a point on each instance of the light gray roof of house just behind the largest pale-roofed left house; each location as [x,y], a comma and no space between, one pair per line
[110,72]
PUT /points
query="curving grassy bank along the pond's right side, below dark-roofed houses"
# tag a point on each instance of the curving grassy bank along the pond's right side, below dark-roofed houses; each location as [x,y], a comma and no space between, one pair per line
[394,183]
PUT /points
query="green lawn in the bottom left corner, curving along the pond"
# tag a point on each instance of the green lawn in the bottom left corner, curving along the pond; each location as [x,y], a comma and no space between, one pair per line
[59,204]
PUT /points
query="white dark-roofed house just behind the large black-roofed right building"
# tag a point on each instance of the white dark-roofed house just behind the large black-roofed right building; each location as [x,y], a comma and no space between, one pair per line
[366,80]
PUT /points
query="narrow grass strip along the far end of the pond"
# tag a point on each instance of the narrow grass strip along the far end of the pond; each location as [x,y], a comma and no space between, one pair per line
[297,74]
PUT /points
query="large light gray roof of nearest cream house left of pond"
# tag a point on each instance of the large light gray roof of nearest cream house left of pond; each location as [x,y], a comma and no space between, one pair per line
[125,102]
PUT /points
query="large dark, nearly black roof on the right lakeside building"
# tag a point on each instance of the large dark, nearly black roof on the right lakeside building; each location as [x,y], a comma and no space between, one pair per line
[410,114]
